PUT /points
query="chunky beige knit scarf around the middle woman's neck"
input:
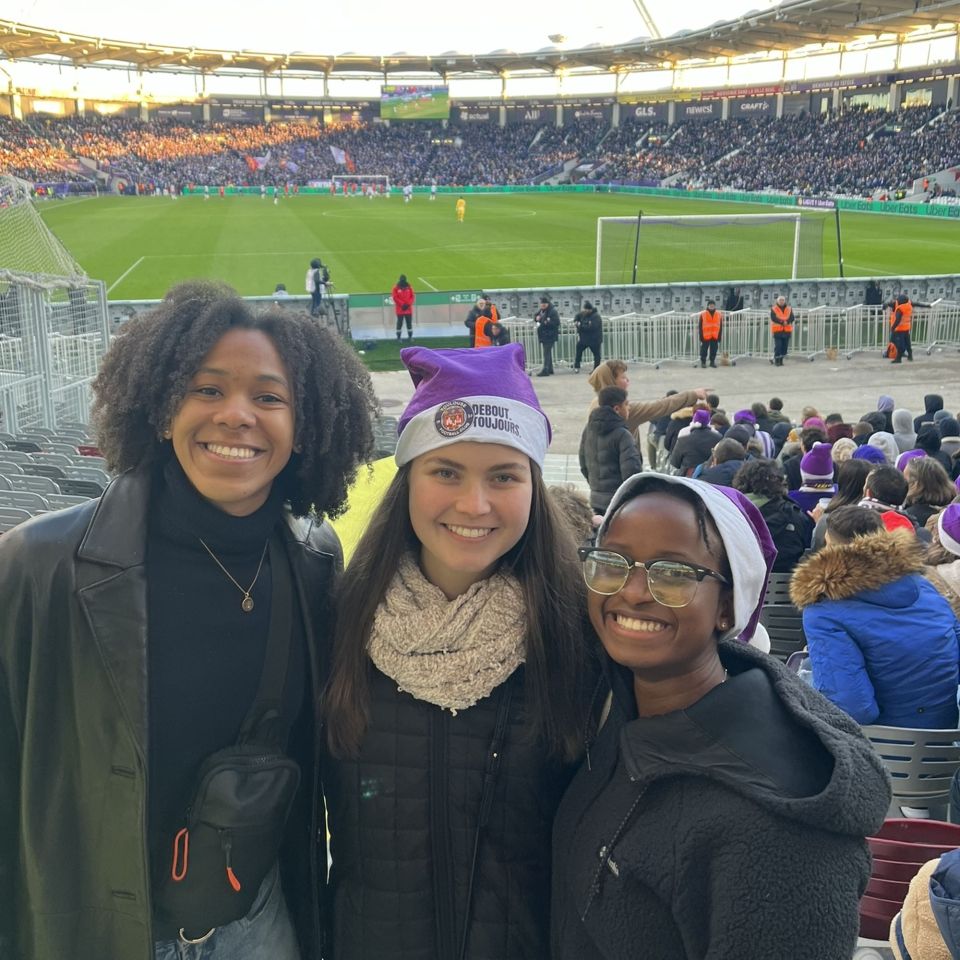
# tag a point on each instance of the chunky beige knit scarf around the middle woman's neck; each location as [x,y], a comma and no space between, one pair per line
[448,652]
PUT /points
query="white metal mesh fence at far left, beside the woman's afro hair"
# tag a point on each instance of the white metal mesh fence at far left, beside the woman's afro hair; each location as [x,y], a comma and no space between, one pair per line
[52,337]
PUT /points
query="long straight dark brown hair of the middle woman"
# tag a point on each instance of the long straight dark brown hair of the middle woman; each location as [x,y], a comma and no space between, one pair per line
[545,563]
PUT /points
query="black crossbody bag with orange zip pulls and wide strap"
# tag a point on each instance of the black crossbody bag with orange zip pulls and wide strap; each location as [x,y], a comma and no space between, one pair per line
[231,834]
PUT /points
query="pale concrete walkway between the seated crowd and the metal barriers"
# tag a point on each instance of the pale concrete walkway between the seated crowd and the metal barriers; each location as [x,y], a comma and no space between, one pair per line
[850,387]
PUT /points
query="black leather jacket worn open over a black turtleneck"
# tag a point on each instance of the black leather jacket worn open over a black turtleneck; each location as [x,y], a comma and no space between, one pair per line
[74,873]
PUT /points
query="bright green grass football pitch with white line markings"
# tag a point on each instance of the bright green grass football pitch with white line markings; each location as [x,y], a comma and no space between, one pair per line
[140,246]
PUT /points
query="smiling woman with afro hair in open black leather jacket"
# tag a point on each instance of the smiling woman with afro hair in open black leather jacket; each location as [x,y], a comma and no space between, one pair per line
[134,638]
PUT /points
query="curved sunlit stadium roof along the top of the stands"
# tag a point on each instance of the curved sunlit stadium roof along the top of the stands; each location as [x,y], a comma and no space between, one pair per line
[788,26]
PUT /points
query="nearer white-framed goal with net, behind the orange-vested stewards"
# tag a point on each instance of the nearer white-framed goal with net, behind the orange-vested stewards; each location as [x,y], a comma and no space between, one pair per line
[756,246]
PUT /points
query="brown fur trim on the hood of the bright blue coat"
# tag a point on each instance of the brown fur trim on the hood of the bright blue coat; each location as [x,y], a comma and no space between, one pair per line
[843,570]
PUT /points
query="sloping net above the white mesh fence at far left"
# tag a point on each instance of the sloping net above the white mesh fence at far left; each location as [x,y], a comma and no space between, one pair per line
[27,245]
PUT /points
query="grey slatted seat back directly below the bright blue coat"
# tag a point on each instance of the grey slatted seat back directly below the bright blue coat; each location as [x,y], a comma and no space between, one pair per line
[921,764]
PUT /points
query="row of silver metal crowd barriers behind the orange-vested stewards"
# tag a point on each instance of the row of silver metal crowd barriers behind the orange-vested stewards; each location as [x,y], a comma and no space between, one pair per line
[818,331]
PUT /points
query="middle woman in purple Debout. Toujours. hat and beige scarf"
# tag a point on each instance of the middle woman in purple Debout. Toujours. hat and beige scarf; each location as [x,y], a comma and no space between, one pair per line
[455,710]
